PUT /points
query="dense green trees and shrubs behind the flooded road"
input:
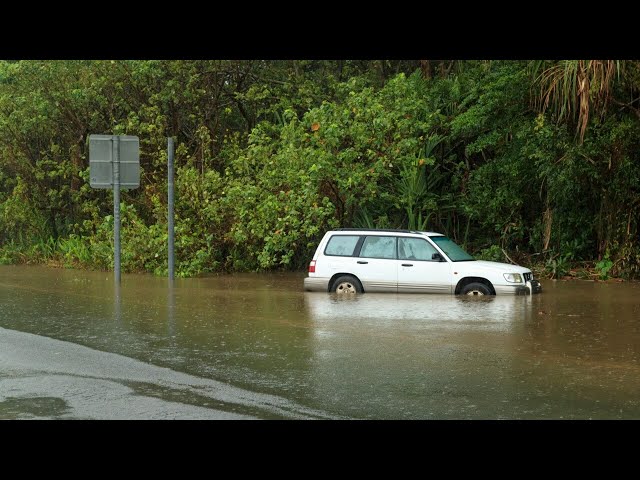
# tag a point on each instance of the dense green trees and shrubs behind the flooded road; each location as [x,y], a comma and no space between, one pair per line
[534,160]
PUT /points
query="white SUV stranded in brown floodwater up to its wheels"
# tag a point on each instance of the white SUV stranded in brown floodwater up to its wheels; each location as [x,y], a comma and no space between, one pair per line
[356,261]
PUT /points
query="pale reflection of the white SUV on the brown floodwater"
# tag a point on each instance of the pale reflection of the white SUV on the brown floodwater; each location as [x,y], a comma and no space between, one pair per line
[416,356]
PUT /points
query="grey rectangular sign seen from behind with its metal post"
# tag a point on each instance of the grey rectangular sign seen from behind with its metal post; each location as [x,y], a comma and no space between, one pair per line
[114,162]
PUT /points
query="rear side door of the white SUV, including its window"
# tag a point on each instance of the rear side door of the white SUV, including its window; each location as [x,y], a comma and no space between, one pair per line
[376,265]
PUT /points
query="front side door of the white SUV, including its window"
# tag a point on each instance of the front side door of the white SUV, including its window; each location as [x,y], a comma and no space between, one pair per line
[418,271]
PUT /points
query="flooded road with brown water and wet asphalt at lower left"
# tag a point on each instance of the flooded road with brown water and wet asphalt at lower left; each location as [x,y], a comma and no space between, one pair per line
[257,346]
